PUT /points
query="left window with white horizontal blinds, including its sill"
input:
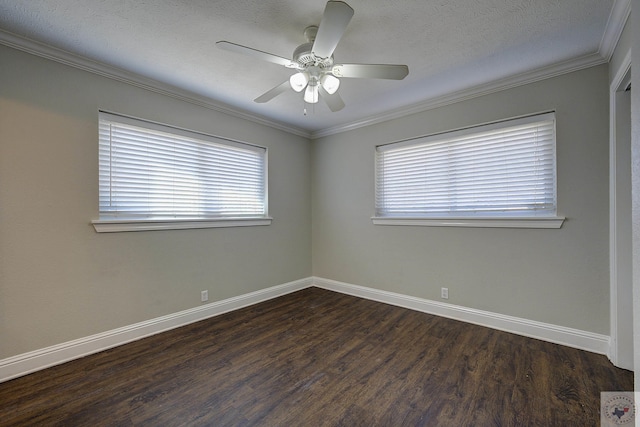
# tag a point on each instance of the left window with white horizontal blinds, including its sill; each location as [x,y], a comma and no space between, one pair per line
[154,177]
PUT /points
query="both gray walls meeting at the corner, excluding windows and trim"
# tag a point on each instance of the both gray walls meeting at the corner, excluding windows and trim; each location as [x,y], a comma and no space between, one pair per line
[59,280]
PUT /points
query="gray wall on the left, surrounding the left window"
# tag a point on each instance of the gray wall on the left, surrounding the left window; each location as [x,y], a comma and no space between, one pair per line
[59,279]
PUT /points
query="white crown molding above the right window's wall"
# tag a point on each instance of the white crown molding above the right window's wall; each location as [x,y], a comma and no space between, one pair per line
[521,79]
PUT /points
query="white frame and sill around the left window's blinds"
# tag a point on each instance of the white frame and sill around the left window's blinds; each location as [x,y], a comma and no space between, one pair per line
[110,222]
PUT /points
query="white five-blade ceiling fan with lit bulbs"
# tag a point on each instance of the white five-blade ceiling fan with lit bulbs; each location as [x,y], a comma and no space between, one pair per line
[317,73]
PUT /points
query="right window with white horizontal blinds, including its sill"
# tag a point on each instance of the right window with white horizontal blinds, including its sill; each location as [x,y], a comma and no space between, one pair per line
[502,174]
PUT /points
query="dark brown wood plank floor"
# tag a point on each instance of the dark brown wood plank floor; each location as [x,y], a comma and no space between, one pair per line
[319,358]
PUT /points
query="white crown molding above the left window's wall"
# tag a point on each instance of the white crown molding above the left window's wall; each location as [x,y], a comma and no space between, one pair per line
[67,58]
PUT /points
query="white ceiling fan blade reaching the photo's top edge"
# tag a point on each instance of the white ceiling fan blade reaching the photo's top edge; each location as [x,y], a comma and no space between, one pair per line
[336,17]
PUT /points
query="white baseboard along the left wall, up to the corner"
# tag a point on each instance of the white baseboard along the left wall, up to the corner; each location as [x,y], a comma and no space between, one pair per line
[26,363]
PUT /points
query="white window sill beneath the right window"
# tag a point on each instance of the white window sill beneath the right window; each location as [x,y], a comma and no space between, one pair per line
[504,222]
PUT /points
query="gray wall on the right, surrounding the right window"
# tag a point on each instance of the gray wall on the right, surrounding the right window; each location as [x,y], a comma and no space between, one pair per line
[555,276]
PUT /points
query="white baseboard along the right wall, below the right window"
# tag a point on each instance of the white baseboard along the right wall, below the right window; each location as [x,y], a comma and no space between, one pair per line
[570,337]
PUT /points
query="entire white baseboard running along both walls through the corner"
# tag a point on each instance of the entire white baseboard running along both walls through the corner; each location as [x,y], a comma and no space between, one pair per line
[26,363]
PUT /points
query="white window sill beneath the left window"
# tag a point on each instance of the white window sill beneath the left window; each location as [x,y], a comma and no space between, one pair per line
[119,225]
